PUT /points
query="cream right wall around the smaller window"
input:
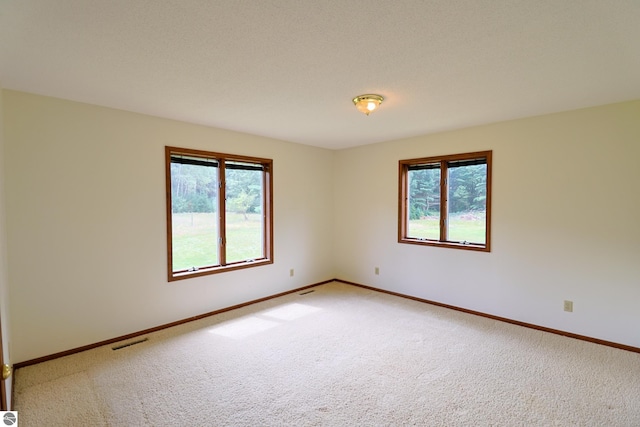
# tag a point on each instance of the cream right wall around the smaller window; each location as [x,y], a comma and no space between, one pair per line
[565,222]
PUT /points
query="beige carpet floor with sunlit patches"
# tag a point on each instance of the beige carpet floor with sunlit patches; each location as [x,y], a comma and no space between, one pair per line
[338,356]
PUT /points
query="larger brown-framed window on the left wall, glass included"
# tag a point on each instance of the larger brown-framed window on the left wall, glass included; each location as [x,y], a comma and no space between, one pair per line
[219,213]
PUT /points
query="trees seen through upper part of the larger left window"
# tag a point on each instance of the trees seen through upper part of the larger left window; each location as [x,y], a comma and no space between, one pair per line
[194,188]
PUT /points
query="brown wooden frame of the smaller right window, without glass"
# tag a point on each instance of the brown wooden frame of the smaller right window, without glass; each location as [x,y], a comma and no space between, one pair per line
[403,198]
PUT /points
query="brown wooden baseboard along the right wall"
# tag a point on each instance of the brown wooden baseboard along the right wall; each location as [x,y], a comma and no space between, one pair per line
[502,319]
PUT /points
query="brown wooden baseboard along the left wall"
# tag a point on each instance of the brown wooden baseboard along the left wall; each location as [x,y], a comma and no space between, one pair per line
[157,328]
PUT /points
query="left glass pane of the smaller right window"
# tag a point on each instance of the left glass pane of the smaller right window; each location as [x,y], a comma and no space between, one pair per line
[424,203]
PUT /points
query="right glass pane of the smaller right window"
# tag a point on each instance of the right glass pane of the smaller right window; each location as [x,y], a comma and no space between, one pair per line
[467,204]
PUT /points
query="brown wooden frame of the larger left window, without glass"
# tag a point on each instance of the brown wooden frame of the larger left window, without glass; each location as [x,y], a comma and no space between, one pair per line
[267,213]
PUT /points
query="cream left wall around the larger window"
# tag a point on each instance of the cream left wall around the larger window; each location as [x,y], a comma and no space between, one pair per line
[86,223]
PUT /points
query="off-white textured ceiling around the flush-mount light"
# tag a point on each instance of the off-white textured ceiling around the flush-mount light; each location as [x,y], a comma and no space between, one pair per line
[288,69]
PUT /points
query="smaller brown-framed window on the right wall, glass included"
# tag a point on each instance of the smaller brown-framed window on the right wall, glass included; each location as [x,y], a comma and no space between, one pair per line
[446,201]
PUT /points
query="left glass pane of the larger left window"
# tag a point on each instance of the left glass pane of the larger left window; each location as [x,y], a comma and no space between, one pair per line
[194,217]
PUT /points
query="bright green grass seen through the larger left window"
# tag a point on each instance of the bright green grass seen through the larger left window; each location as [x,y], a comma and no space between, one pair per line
[195,239]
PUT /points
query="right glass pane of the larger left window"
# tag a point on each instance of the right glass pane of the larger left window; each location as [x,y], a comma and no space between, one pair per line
[244,216]
